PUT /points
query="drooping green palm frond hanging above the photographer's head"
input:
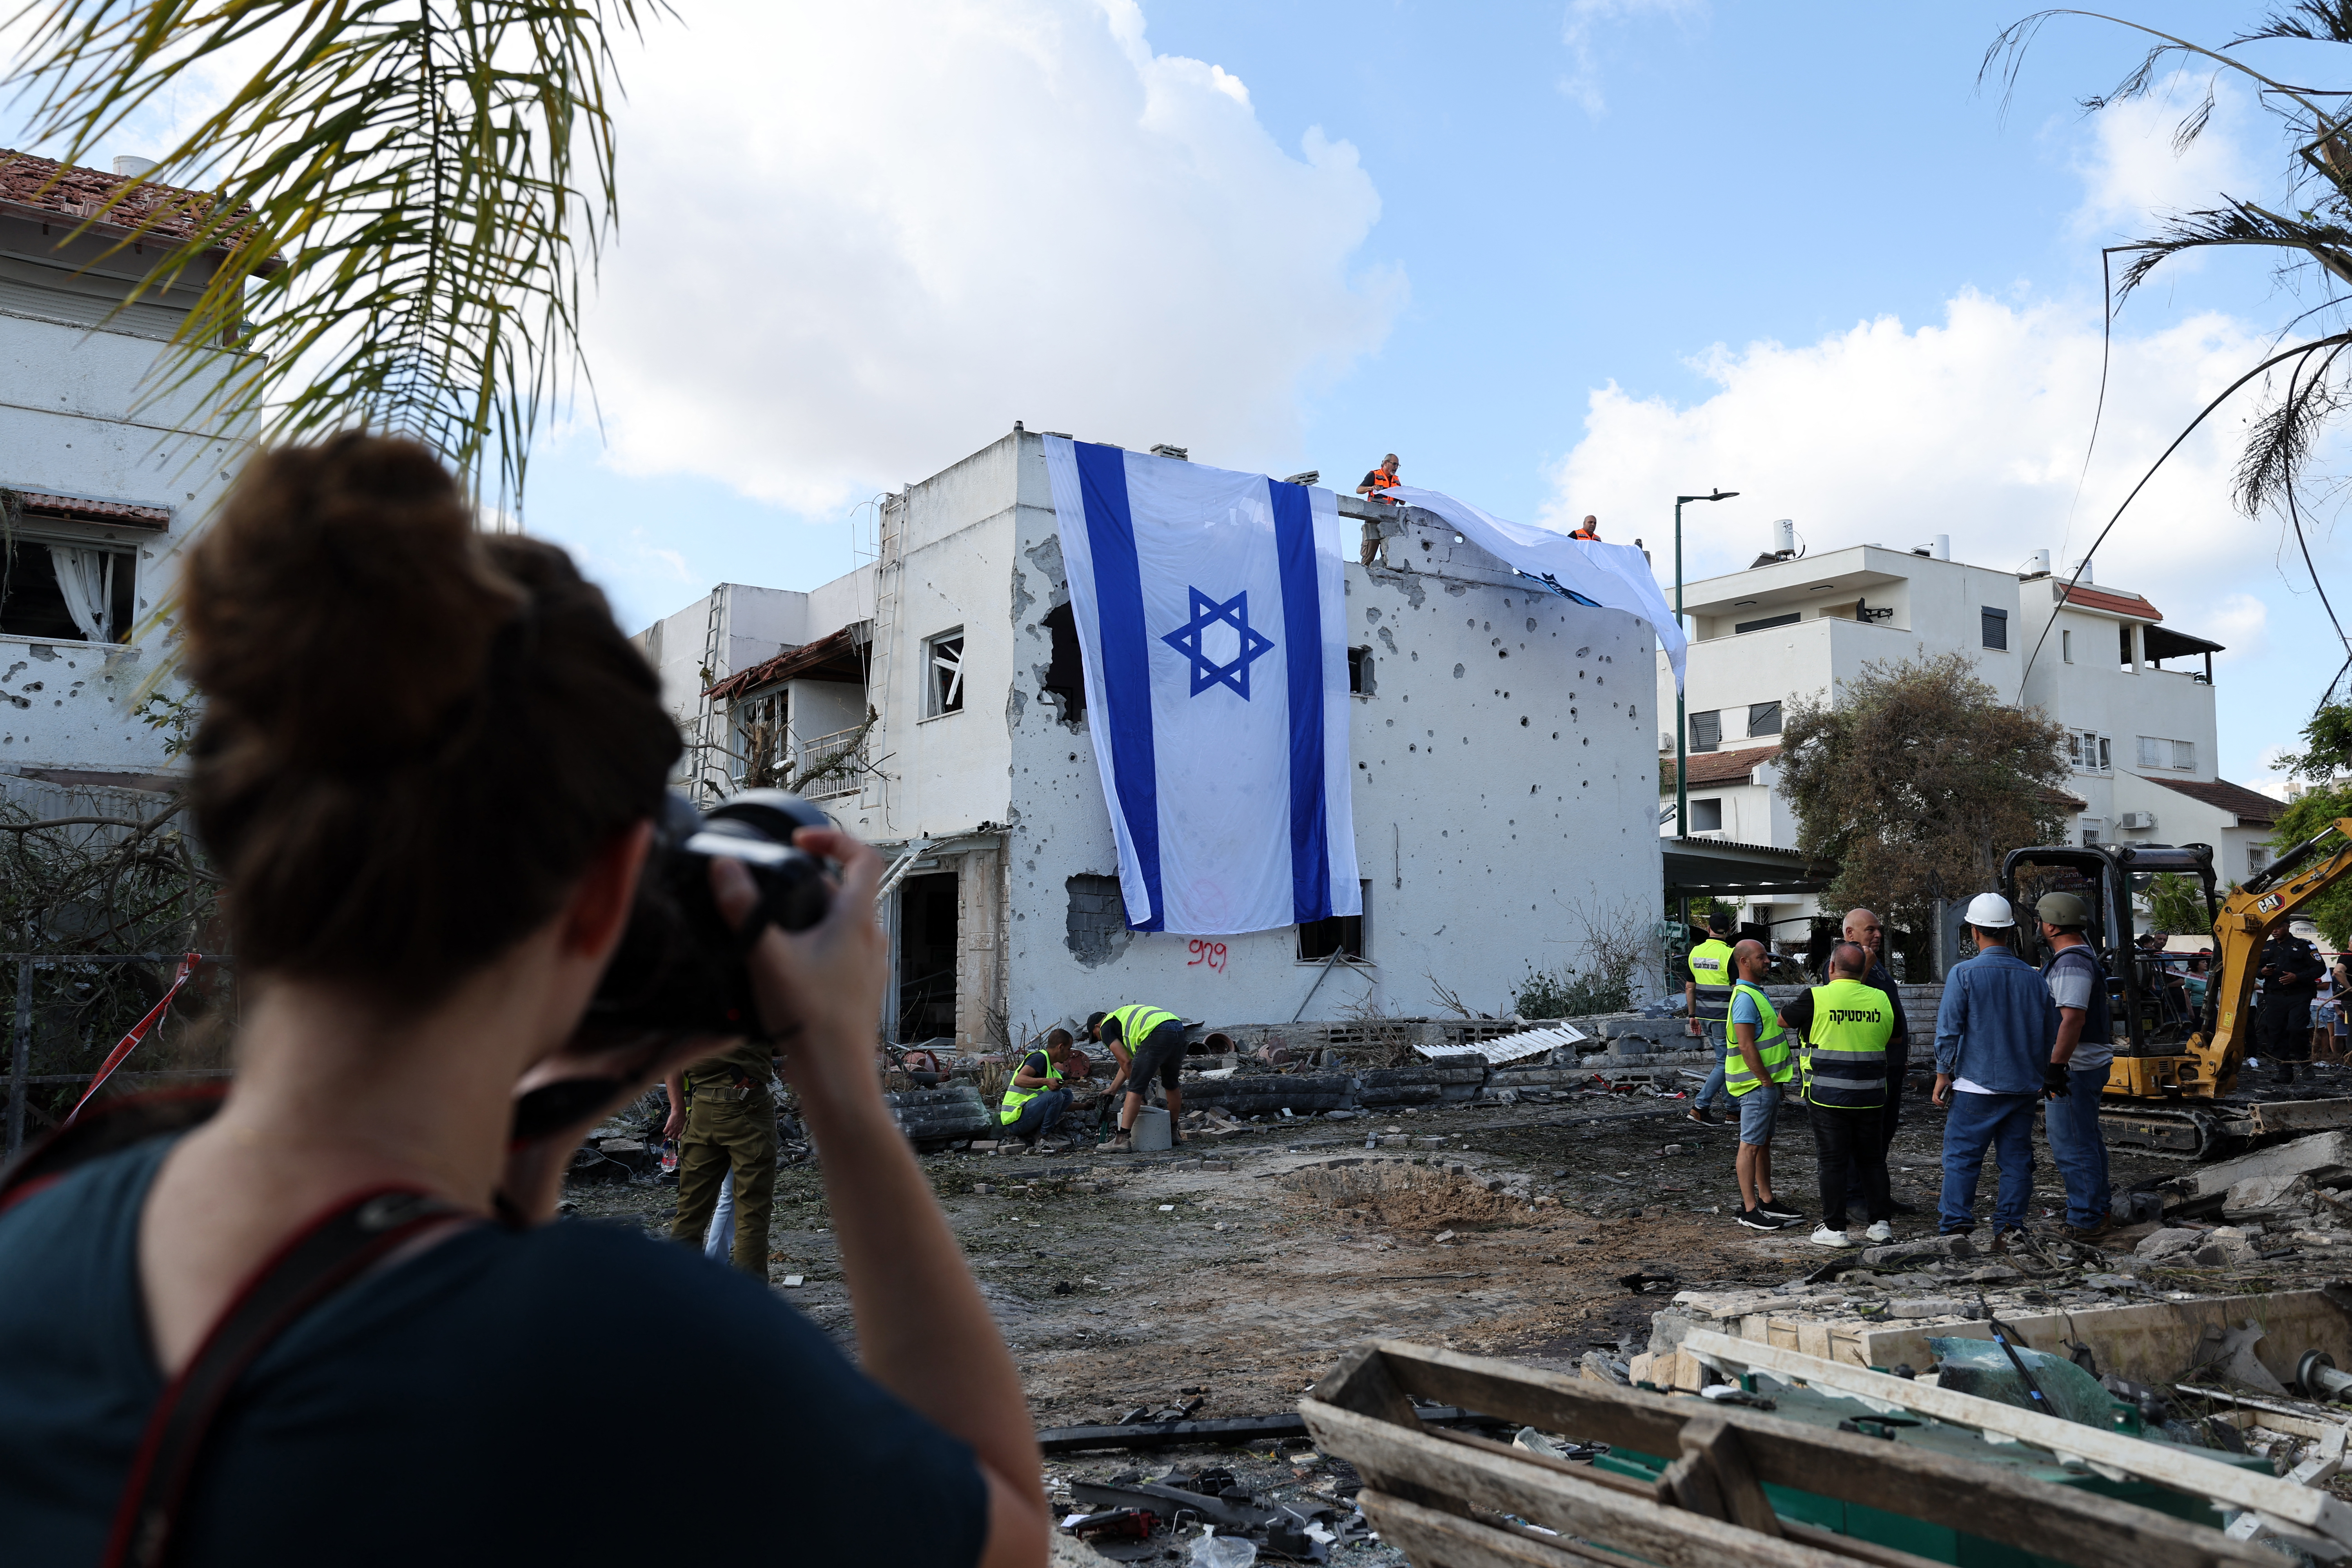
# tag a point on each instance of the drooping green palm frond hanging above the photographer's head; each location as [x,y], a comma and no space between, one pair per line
[389,210]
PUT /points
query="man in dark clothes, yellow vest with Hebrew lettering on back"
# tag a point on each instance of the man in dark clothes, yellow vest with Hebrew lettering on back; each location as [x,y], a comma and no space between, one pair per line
[1847,1026]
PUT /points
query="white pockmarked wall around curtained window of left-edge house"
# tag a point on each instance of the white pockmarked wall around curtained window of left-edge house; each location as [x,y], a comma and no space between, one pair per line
[88,415]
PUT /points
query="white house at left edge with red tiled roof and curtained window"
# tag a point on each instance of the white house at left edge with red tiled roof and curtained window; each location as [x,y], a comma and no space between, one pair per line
[105,474]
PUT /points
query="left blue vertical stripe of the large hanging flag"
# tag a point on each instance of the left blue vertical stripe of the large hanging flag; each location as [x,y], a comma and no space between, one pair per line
[1128,676]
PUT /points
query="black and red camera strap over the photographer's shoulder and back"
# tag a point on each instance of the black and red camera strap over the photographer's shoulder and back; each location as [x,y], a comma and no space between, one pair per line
[307,1271]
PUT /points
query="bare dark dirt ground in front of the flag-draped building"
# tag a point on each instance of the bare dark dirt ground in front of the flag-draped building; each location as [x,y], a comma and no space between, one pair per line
[1236,1271]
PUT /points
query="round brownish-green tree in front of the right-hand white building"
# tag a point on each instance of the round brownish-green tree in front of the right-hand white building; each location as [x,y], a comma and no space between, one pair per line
[1916,782]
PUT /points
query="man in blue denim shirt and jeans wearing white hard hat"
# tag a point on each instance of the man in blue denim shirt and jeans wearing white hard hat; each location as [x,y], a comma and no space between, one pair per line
[1993,1047]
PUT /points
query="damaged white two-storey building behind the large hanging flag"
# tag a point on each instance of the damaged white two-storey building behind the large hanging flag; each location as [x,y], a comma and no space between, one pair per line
[933,702]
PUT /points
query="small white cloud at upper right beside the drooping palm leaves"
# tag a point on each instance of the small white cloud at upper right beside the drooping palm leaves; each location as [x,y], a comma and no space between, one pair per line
[2132,173]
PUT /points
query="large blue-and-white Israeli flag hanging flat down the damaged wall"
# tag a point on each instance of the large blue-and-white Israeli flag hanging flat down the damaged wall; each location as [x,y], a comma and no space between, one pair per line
[1210,612]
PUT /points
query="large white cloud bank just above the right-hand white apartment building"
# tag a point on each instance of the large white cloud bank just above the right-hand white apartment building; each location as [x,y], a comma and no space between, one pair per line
[1972,429]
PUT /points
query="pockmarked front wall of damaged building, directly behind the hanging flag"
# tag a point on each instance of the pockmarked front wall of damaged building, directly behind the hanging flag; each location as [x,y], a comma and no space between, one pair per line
[1504,798]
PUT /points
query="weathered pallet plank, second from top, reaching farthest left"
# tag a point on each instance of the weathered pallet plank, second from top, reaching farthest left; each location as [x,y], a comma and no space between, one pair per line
[1572,1506]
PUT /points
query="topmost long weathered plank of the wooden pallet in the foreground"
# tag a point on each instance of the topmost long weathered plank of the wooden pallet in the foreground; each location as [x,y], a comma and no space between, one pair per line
[1996,1503]
